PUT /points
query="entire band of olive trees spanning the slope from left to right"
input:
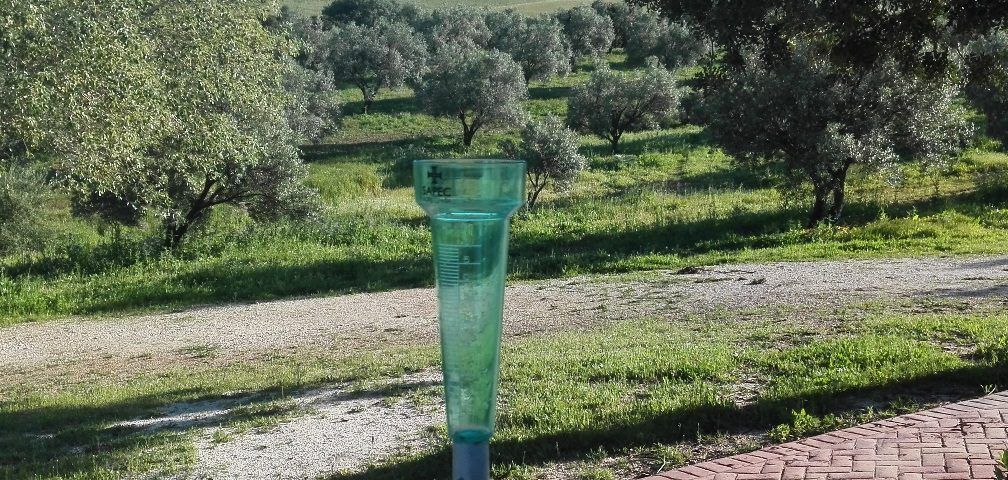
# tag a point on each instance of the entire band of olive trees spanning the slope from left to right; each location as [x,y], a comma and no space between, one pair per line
[120,104]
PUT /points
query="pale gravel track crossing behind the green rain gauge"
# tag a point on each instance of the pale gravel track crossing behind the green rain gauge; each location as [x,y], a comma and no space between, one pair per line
[237,331]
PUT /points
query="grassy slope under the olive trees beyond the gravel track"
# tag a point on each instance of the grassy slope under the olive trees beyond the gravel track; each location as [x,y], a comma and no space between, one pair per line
[674,200]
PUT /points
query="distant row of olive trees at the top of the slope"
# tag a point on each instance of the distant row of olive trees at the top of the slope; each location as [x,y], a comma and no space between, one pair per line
[382,44]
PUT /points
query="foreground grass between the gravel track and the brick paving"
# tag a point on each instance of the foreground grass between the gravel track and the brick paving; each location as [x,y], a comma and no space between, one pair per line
[623,400]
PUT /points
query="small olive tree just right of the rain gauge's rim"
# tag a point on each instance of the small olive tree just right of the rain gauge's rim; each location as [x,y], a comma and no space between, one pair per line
[551,152]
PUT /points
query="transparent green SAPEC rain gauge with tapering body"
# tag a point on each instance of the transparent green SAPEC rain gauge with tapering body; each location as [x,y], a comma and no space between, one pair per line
[470,204]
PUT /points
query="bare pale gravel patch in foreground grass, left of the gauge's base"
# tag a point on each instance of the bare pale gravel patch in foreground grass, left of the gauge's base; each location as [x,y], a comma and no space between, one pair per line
[334,433]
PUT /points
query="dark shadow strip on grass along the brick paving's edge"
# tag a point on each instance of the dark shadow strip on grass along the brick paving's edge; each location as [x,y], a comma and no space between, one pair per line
[687,423]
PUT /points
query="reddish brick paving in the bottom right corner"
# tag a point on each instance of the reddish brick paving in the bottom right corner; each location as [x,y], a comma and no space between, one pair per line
[959,441]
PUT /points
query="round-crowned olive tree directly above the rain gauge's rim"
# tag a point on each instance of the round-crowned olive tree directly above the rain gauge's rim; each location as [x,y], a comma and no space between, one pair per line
[476,87]
